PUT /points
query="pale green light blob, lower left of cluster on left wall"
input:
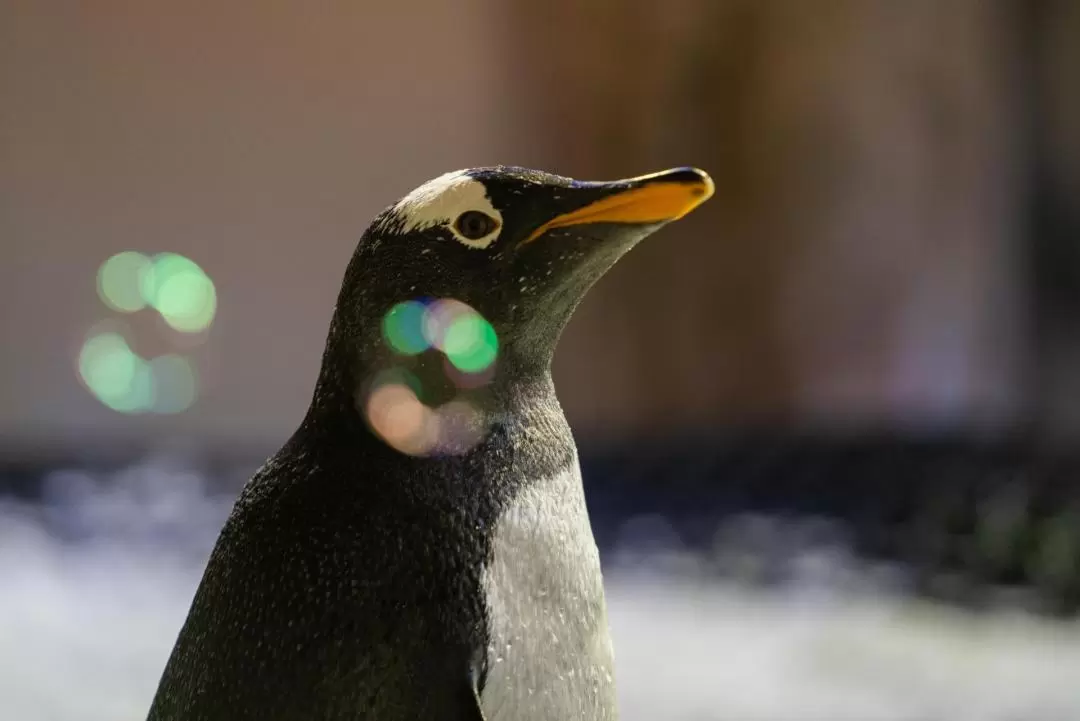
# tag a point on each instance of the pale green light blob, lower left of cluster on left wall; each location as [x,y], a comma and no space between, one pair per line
[116,375]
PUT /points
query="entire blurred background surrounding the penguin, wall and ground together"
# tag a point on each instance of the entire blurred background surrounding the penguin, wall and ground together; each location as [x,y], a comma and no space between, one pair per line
[828,424]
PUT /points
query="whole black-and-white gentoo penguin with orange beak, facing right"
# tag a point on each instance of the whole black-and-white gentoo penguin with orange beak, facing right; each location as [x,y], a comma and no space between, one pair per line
[420,549]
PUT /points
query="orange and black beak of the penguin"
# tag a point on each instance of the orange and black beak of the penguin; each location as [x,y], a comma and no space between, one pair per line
[647,200]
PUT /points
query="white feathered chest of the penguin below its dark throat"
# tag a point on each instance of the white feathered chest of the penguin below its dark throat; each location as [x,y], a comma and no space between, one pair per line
[550,655]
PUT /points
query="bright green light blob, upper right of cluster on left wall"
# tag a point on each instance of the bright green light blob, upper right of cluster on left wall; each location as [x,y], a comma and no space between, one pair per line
[179,289]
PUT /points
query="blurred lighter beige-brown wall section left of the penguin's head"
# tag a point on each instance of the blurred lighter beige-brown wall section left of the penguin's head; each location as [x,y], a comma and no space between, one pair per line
[256,139]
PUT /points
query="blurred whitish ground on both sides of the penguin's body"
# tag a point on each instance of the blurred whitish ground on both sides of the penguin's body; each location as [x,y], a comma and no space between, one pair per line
[94,587]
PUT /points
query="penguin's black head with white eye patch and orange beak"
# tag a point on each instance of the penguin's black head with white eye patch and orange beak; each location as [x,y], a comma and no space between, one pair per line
[521,248]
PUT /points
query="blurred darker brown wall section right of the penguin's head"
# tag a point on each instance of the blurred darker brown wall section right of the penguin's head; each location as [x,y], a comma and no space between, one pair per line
[861,262]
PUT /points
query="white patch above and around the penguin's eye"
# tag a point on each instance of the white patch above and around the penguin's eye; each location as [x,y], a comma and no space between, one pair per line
[440,202]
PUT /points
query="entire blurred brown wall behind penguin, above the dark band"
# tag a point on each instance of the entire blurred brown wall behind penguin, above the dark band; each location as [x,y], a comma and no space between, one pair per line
[866,260]
